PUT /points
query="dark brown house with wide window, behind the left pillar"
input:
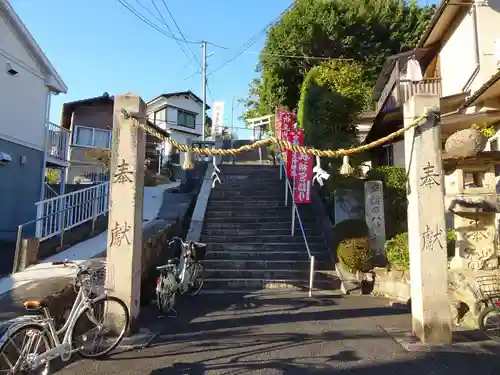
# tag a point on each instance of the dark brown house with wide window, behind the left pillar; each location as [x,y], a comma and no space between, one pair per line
[90,122]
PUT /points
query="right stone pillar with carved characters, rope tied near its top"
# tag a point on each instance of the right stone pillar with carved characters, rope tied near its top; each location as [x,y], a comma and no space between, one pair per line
[426,224]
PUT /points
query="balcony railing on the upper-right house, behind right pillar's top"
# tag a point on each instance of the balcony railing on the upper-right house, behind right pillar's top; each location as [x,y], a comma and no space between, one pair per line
[396,93]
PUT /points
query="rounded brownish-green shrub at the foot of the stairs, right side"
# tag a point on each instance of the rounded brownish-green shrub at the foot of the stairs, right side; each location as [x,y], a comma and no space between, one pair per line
[352,244]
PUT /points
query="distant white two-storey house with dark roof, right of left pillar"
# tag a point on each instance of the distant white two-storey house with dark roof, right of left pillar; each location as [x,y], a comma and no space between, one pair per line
[181,114]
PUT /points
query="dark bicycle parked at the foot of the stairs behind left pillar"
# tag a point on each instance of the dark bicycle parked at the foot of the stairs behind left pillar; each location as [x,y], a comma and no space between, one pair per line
[181,275]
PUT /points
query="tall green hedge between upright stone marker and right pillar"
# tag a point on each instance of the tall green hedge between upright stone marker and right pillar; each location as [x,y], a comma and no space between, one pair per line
[395,201]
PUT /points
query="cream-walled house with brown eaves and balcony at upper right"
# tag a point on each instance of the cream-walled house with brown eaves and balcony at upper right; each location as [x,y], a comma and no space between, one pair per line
[459,58]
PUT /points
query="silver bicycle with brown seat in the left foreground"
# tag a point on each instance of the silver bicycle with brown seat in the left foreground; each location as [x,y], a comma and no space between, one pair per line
[88,309]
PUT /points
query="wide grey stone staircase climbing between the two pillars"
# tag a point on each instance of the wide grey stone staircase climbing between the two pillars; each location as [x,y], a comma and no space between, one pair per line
[248,232]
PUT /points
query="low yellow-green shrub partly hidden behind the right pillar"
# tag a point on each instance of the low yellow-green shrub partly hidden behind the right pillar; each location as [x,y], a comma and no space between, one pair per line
[398,251]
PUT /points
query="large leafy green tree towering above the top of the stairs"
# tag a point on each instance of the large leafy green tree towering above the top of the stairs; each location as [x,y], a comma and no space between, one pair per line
[367,31]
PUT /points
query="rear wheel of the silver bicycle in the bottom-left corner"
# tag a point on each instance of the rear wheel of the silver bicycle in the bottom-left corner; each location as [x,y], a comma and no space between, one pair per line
[20,349]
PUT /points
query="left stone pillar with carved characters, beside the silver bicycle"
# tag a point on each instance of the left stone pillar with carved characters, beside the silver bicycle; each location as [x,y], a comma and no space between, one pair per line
[126,203]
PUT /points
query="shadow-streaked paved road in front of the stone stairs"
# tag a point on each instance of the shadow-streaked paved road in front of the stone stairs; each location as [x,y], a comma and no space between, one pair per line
[282,333]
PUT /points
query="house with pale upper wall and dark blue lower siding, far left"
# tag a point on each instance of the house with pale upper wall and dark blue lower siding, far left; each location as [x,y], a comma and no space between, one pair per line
[29,143]
